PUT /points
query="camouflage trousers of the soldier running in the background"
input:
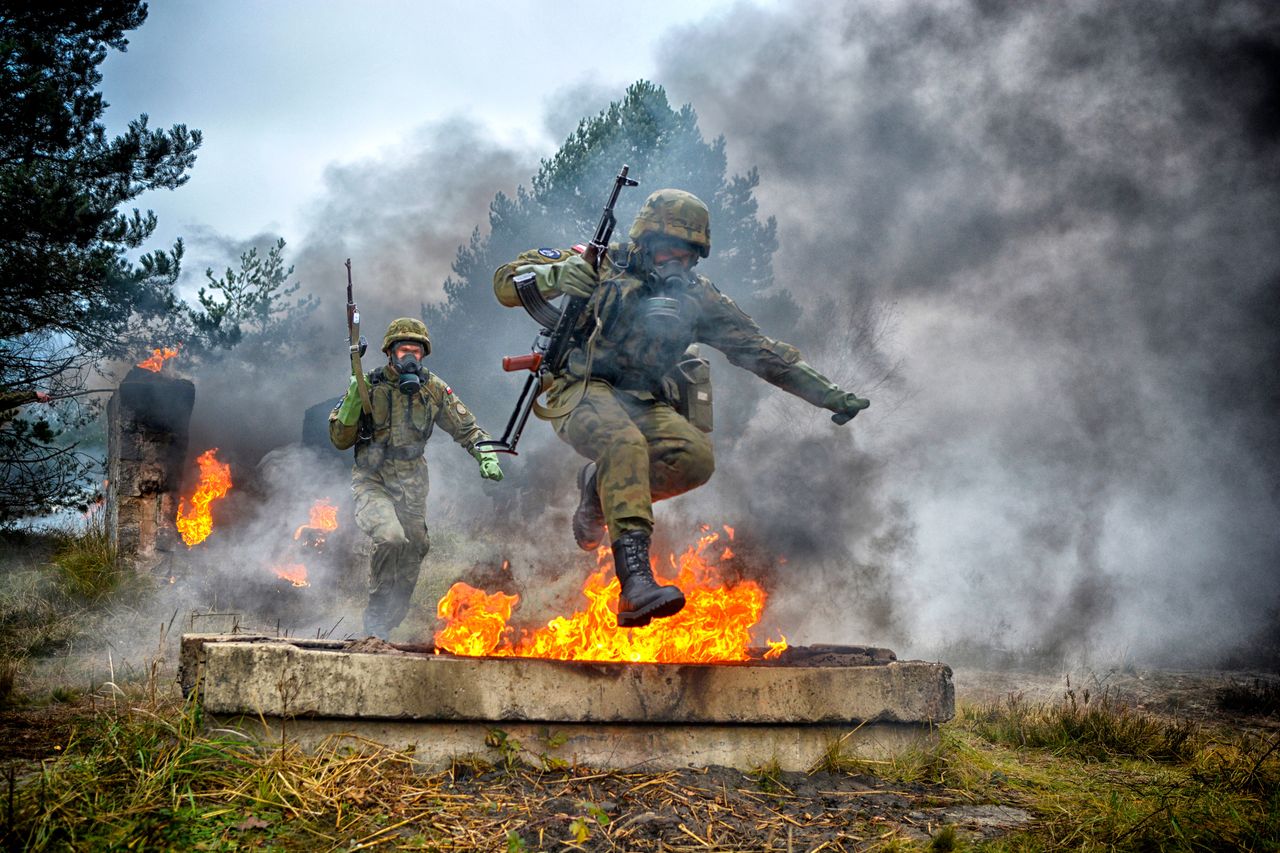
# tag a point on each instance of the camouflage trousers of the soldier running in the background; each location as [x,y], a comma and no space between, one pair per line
[391,507]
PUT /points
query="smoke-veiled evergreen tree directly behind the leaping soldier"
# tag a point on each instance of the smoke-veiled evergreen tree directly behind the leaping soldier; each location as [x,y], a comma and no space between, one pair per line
[664,148]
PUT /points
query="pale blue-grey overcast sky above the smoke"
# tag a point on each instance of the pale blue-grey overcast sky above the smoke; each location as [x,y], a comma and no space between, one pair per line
[284,90]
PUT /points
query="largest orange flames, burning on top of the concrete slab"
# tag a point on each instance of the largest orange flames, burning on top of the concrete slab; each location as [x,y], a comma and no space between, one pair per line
[716,624]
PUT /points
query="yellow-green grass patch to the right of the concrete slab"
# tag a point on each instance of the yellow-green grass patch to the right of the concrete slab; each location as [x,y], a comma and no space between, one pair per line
[1105,777]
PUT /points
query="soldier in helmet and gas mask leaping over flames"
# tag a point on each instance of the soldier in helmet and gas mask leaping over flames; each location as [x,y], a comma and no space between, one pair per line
[612,398]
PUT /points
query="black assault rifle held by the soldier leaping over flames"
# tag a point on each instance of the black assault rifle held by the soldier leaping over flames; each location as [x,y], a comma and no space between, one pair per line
[556,337]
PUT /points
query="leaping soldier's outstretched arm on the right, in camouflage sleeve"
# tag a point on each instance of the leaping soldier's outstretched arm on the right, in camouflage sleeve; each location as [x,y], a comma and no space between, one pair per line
[728,329]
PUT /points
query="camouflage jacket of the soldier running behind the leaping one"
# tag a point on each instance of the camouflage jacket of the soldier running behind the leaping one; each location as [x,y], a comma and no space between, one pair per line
[403,423]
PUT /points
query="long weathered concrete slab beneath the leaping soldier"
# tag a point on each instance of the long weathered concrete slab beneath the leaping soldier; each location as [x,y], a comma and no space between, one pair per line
[610,715]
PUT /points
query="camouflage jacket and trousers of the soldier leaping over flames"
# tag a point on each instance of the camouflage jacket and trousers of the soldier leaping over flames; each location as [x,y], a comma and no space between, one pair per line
[644,450]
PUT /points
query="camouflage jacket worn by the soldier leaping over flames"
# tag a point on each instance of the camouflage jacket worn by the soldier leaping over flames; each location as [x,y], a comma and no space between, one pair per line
[632,349]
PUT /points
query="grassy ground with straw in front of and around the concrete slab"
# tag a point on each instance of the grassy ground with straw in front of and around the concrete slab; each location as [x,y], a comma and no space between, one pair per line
[122,763]
